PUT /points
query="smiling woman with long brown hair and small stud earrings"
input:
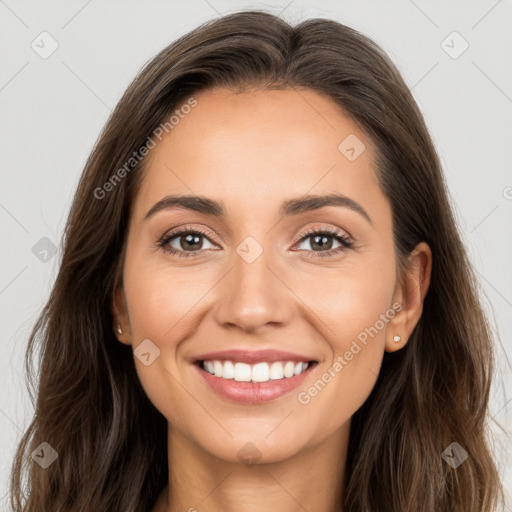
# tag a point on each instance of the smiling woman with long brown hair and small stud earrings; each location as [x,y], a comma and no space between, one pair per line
[263,300]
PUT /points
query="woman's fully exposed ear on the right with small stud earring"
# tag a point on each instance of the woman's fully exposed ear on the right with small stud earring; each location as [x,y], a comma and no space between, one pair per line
[410,294]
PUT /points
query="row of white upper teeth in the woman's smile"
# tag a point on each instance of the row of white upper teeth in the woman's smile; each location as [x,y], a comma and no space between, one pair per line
[260,372]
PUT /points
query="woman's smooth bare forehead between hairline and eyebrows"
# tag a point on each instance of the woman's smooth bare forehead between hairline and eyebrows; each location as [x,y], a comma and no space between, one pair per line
[260,146]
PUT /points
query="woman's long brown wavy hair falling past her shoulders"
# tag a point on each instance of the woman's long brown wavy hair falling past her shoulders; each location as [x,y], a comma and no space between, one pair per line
[90,406]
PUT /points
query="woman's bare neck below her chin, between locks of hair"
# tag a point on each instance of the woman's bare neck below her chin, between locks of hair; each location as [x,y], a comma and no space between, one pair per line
[310,480]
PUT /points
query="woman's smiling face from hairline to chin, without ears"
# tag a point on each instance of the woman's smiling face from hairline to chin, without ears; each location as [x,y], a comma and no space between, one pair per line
[316,282]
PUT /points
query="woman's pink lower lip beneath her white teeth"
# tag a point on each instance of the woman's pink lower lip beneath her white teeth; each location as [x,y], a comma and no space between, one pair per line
[254,392]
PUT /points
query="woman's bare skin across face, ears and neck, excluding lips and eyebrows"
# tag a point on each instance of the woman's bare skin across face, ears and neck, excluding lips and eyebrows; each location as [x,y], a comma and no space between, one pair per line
[252,151]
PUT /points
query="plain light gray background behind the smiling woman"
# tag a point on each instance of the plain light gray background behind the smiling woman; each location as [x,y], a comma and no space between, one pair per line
[53,109]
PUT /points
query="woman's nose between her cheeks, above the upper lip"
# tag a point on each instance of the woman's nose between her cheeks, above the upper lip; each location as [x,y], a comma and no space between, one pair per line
[254,295]
